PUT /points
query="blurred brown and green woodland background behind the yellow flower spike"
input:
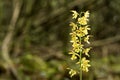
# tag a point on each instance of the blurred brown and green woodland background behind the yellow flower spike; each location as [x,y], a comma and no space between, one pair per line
[34,39]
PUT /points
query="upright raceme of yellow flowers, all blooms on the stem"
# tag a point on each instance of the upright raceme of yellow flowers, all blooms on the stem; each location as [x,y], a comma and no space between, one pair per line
[79,36]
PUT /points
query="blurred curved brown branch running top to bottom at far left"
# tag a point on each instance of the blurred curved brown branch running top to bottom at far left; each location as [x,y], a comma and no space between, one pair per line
[8,38]
